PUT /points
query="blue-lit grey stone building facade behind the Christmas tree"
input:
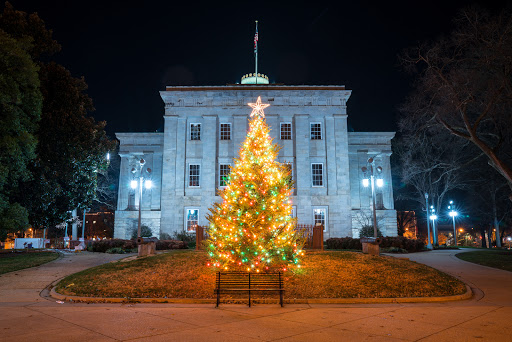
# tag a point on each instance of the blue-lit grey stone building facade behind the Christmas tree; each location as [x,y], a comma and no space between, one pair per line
[204,128]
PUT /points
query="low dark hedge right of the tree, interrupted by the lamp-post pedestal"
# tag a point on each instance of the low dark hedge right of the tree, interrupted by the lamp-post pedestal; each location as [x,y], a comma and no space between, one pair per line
[410,245]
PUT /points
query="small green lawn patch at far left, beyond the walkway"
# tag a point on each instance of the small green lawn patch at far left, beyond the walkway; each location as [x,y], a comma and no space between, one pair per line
[14,261]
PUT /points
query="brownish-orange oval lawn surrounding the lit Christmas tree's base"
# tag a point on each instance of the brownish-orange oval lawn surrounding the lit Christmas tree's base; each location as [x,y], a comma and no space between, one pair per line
[332,274]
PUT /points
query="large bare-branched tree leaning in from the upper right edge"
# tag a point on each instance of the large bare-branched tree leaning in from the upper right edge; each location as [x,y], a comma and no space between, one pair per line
[464,85]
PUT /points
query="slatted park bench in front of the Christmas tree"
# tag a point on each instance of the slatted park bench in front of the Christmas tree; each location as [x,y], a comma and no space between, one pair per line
[249,282]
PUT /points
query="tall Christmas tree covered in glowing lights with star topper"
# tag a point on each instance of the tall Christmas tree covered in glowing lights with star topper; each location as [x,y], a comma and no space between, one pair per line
[252,229]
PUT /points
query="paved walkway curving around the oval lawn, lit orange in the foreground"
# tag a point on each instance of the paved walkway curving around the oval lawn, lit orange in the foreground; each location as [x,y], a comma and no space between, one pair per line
[26,316]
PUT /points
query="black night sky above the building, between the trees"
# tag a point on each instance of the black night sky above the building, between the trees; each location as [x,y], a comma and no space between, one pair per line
[127,52]
